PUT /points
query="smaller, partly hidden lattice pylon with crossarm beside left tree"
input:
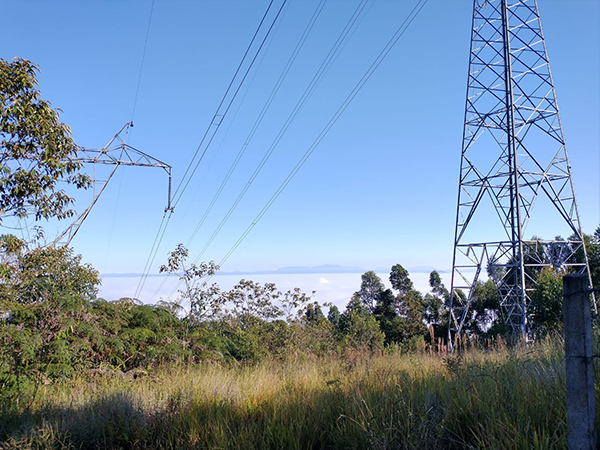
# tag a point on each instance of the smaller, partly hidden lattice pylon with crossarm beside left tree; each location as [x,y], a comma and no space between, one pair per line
[116,153]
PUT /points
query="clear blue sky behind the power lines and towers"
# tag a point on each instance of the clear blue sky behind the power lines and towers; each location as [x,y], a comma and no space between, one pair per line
[381,187]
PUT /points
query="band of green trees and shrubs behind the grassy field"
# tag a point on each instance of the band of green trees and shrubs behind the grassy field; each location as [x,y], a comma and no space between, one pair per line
[53,326]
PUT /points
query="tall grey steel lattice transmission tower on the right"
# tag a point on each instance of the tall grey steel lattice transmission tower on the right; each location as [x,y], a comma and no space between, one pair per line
[513,158]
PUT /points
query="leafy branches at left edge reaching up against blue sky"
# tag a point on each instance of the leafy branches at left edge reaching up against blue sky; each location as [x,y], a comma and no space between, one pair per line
[36,149]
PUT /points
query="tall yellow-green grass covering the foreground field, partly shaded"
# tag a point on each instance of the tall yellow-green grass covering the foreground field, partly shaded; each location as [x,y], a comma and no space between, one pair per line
[508,397]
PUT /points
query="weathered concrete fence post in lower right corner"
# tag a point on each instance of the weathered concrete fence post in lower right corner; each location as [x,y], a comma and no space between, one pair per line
[581,409]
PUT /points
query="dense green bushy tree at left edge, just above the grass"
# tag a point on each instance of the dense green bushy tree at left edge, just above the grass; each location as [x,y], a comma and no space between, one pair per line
[43,293]
